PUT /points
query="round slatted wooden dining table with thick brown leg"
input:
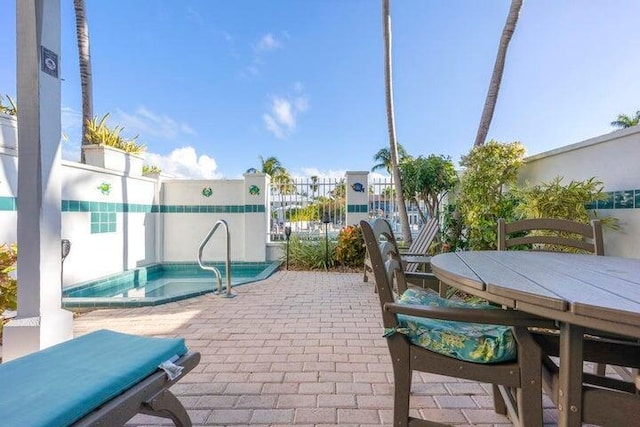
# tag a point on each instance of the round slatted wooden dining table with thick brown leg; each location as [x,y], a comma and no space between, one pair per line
[578,291]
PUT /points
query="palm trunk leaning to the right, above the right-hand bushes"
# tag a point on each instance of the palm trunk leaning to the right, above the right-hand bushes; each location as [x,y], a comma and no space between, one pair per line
[498,69]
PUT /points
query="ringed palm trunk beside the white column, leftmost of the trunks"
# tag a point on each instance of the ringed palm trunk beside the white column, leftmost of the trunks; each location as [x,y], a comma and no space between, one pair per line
[84,54]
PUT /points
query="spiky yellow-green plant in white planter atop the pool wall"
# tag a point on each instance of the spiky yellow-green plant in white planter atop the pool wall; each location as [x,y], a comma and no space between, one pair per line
[106,148]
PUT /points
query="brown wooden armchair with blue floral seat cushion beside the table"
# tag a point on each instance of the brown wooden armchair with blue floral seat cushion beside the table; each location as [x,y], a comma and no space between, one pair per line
[428,333]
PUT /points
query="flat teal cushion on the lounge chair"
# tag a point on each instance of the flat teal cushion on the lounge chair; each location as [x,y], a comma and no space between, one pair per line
[61,384]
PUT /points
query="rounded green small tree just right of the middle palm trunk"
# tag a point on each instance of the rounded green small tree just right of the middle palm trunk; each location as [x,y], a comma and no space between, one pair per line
[428,179]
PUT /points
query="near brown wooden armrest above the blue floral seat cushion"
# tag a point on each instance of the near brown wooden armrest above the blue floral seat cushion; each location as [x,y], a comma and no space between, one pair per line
[473,315]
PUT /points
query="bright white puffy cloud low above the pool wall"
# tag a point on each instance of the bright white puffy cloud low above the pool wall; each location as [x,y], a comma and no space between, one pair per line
[184,162]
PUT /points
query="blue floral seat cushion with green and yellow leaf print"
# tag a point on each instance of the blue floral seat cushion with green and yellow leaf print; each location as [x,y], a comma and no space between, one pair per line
[472,342]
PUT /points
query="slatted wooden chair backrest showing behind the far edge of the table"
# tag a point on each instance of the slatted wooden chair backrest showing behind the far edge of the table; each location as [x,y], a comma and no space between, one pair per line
[545,233]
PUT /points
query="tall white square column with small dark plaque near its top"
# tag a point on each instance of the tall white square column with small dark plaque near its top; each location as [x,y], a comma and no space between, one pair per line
[40,322]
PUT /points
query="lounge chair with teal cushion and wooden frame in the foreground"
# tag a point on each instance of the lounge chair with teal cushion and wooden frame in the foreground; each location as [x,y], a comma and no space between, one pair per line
[102,378]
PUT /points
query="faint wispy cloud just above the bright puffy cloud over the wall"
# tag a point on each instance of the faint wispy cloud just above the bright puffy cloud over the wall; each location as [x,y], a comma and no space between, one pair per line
[146,123]
